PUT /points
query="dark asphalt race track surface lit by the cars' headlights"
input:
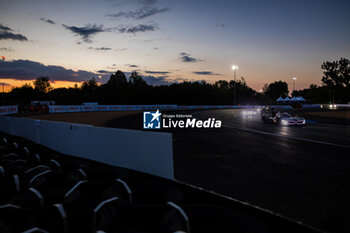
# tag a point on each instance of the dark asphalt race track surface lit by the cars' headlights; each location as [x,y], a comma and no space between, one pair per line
[302,172]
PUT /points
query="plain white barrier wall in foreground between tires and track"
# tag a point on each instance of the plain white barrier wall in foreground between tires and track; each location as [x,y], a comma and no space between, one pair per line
[149,152]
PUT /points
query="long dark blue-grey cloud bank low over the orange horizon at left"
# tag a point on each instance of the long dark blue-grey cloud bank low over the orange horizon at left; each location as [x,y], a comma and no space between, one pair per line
[28,70]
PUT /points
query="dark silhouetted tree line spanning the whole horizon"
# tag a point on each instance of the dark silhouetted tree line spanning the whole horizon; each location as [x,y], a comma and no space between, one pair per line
[134,90]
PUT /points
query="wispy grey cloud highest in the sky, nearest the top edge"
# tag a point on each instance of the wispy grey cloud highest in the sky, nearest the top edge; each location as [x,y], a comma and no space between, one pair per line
[141,13]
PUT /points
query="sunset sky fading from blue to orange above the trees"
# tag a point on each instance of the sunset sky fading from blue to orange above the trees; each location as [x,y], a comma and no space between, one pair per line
[171,41]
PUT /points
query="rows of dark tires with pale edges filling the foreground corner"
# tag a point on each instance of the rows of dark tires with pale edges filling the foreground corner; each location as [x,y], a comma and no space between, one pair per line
[44,191]
